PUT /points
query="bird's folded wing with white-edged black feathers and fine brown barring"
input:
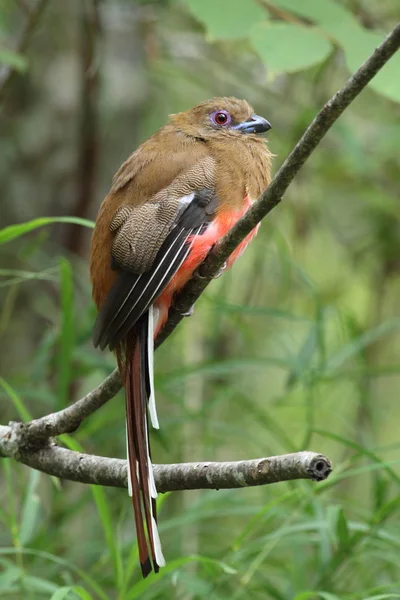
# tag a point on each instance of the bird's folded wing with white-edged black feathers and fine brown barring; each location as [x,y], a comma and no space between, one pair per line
[138,283]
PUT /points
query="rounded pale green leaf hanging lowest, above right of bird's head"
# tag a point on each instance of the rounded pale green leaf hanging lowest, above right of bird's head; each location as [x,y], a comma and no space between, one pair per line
[286,47]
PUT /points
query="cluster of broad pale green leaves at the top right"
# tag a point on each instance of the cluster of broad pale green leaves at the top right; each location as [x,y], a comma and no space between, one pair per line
[306,37]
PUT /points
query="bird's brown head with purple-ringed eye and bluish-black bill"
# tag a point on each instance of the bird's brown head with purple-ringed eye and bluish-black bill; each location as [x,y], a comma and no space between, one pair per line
[229,116]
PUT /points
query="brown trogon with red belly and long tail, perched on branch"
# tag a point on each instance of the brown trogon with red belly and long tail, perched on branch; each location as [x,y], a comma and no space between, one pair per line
[169,204]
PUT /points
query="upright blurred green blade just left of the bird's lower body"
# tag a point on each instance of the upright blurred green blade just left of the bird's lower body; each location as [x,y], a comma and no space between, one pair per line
[66,342]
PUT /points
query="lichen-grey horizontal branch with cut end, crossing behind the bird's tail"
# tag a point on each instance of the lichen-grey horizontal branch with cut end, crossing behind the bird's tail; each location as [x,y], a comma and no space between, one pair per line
[87,468]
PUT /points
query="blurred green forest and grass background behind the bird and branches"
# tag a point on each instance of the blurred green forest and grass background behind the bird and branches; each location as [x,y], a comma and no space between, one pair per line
[297,347]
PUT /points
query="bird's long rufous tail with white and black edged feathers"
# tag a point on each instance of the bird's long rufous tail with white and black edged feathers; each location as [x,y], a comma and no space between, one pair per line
[139,401]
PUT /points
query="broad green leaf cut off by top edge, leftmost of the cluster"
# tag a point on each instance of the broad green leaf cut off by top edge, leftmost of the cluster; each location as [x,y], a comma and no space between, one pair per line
[227,19]
